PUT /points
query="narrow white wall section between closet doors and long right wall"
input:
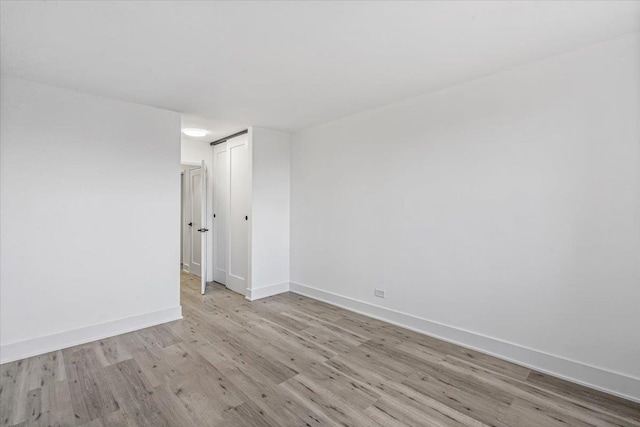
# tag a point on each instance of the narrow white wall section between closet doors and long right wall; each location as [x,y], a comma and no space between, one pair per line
[270,208]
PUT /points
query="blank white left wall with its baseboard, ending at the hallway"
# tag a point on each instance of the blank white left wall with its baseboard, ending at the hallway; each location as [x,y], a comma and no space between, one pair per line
[90,204]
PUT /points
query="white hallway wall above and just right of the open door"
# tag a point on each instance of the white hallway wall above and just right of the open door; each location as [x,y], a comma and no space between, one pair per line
[195,152]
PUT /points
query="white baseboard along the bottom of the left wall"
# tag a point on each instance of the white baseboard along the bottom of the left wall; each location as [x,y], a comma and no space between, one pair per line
[36,346]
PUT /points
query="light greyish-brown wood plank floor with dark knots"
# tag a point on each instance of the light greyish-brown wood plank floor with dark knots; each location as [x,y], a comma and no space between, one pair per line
[288,361]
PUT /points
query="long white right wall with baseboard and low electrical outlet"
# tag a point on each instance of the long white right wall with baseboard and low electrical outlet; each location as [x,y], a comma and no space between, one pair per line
[503,213]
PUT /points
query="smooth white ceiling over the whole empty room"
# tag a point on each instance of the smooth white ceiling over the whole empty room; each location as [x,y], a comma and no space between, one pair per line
[288,65]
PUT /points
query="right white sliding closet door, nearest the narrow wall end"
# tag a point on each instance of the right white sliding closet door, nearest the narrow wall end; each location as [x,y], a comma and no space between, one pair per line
[239,193]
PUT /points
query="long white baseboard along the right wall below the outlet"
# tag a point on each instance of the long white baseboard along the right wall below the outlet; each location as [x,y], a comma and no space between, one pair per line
[608,381]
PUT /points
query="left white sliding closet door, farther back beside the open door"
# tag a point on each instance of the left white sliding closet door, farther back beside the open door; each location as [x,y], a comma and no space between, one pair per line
[220,212]
